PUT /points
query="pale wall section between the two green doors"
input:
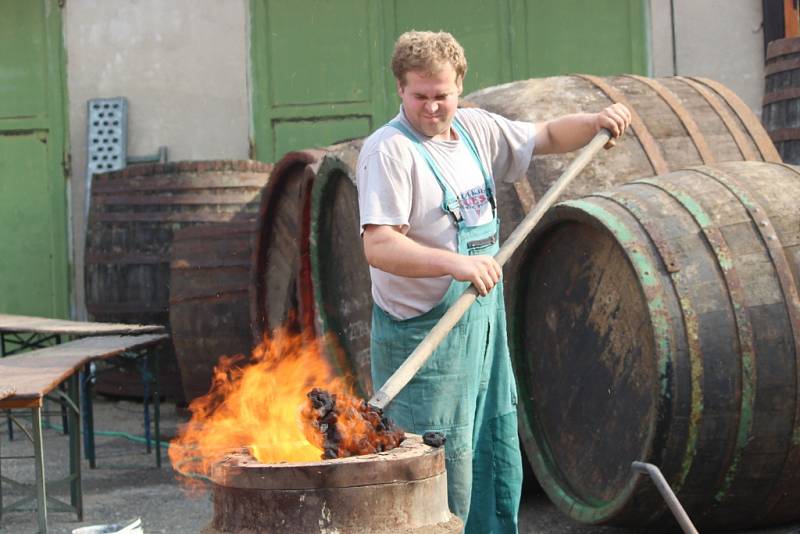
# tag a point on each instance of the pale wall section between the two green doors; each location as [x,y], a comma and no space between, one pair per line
[182,65]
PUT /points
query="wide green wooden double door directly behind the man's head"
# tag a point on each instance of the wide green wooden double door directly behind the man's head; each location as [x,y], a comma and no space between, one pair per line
[321,67]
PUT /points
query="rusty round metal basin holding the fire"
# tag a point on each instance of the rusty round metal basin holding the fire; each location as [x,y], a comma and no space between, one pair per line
[400,491]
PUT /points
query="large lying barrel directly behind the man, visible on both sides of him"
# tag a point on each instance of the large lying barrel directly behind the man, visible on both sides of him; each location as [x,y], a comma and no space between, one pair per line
[679,122]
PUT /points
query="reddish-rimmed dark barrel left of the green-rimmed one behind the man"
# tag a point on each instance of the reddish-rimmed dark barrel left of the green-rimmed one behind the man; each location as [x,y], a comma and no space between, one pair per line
[280,255]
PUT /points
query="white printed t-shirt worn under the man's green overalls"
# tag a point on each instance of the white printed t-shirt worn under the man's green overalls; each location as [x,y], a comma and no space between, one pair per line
[397,187]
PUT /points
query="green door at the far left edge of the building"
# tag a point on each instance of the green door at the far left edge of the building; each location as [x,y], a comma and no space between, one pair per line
[34,270]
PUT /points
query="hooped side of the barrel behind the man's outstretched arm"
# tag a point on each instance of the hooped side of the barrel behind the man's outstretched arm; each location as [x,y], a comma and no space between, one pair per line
[677,122]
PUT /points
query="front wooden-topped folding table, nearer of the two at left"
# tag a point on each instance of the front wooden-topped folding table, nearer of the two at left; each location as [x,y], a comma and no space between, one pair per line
[28,377]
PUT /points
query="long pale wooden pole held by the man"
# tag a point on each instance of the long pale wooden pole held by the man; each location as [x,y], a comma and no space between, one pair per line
[417,359]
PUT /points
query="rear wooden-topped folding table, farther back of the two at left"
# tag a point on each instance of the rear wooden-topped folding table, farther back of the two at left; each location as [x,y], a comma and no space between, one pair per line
[20,333]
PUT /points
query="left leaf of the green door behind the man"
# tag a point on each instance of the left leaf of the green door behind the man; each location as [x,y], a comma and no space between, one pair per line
[315,71]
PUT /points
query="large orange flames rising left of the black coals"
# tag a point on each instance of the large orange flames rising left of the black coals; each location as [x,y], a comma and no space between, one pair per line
[256,404]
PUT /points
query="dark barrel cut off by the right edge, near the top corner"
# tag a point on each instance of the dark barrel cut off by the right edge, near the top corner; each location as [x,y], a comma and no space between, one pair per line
[781,112]
